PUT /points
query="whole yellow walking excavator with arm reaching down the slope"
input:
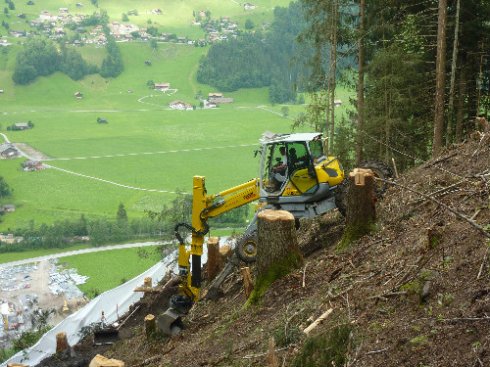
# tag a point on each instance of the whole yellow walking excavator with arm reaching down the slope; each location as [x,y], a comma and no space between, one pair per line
[296,176]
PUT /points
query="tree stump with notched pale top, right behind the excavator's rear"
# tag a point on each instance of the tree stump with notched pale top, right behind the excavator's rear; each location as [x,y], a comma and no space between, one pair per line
[361,206]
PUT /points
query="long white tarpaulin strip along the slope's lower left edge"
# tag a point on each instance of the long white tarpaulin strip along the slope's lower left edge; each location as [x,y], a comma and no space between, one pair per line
[114,302]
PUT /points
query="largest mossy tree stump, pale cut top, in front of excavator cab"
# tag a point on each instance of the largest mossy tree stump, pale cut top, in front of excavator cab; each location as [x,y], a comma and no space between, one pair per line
[278,251]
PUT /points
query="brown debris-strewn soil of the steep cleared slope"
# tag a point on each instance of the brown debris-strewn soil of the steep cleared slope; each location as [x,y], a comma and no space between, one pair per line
[414,293]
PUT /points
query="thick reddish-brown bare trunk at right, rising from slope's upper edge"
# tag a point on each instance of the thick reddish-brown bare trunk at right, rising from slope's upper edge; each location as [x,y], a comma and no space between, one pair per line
[440,79]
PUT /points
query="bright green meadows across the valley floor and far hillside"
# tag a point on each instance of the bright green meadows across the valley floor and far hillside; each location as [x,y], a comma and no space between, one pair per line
[146,152]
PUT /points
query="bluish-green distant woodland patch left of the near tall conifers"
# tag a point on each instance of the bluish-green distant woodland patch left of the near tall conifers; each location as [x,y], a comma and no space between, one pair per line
[254,60]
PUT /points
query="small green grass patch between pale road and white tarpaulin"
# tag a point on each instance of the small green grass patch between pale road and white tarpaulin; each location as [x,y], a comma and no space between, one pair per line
[108,269]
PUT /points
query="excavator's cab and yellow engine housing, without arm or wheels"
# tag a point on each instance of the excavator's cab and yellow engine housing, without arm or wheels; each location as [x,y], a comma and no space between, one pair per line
[297,176]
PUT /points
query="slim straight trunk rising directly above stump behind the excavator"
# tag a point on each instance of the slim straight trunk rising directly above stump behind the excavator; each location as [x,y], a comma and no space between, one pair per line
[360,84]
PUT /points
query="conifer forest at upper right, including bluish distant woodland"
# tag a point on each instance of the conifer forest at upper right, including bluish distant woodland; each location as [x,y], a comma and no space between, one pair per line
[420,68]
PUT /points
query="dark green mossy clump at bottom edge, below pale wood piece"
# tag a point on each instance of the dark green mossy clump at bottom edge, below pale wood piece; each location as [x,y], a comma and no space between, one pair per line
[326,349]
